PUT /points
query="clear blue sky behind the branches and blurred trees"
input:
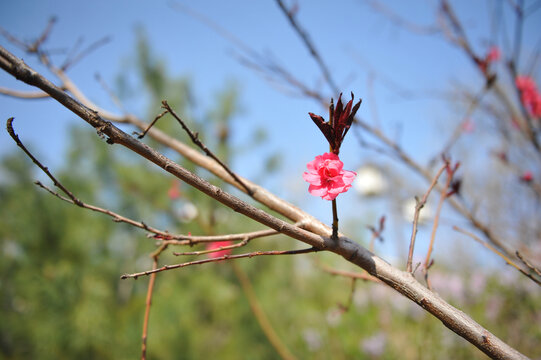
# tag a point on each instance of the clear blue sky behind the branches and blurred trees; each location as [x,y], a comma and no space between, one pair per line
[356,43]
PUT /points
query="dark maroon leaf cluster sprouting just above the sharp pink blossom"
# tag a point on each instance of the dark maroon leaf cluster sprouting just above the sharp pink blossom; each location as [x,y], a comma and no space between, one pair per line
[339,123]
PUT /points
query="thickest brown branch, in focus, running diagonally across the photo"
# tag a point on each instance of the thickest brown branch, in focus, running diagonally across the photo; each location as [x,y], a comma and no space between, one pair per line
[402,282]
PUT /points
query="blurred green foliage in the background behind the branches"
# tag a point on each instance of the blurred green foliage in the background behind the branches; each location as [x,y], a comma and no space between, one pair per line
[61,296]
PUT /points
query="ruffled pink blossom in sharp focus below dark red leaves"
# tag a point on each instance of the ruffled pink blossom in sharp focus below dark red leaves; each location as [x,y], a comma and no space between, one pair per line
[327,177]
